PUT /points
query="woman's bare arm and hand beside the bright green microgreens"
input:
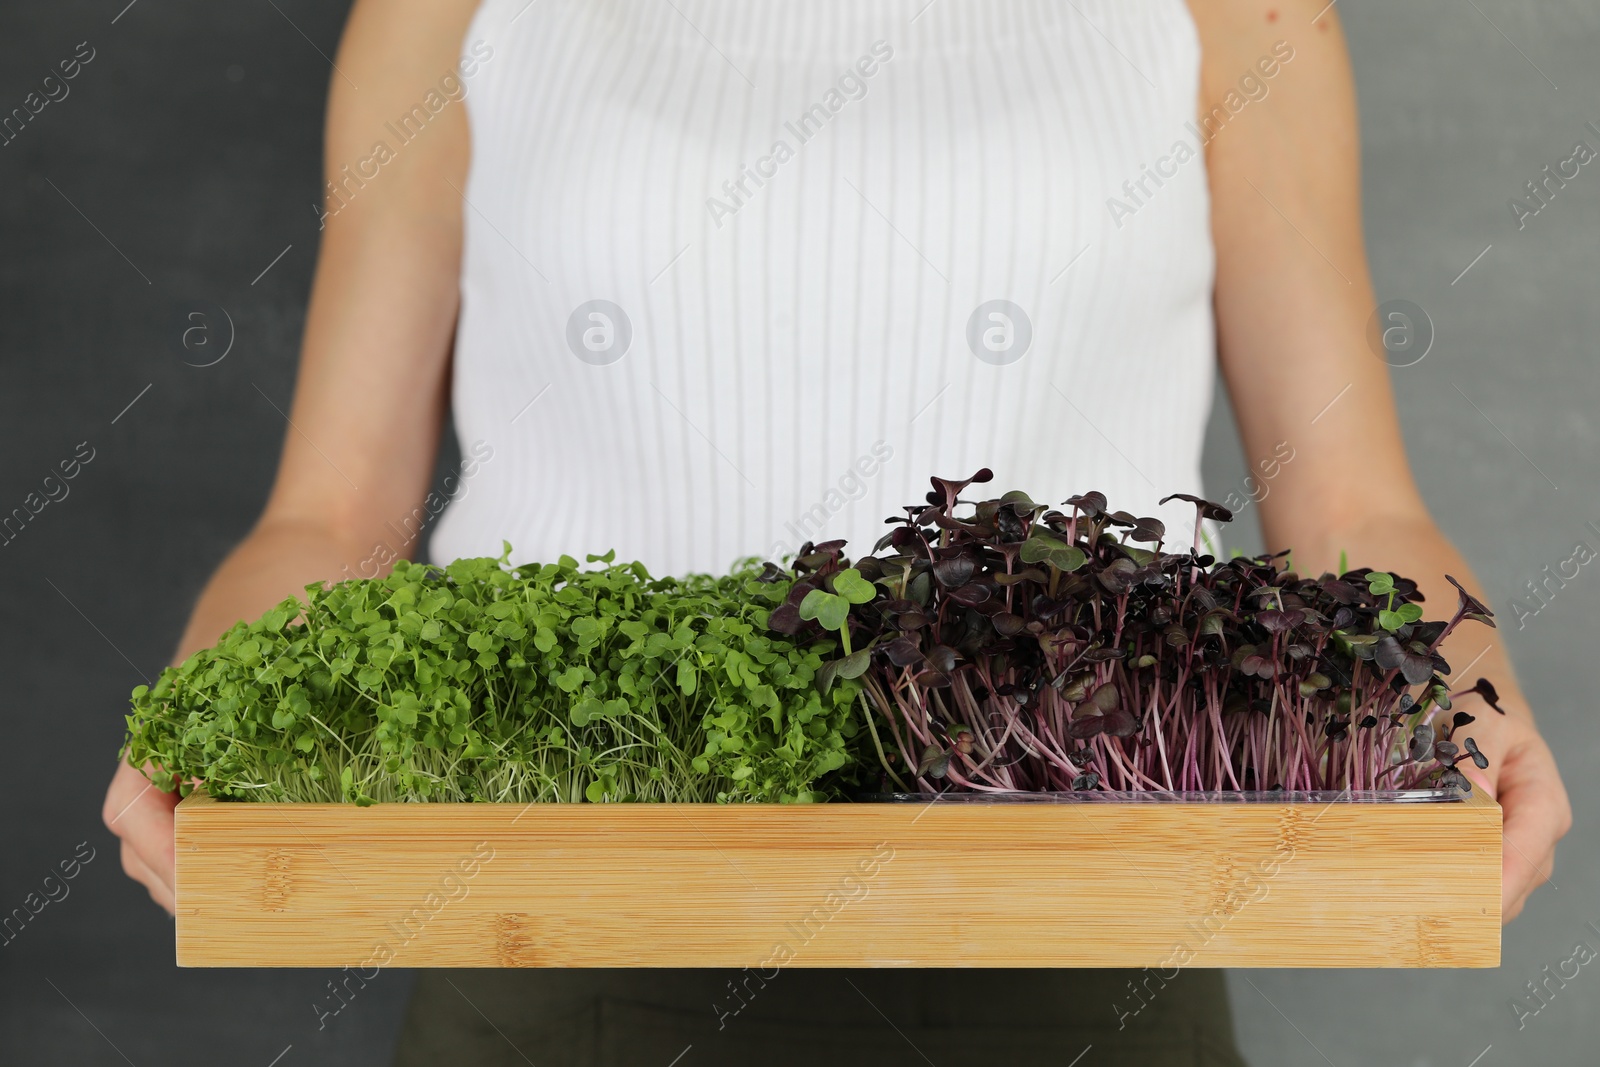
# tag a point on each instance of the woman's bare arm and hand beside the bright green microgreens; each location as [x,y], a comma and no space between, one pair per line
[372,388]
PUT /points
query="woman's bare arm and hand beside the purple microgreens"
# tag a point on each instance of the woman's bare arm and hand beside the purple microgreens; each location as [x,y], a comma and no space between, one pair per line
[1294,298]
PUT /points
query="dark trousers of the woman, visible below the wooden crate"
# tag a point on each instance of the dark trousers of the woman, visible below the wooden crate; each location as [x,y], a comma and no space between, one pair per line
[818,1018]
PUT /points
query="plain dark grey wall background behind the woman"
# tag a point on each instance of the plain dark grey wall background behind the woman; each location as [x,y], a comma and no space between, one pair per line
[201,178]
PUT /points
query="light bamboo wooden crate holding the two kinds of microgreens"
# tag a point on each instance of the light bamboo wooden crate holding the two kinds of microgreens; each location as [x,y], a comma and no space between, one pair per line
[1156,885]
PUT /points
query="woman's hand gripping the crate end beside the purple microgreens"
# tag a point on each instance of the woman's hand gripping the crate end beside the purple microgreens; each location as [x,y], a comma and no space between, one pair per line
[1524,778]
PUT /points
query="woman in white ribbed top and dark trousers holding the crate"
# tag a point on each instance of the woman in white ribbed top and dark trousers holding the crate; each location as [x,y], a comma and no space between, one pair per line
[719,279]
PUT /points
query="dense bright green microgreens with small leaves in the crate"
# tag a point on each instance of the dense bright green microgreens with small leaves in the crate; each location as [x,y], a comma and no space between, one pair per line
[497,684]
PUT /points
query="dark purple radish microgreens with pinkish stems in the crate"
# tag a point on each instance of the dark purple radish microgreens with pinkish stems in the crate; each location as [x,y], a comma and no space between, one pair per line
[1020,647]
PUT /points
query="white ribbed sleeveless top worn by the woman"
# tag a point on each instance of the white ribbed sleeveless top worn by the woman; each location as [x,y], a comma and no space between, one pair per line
[791,214]
